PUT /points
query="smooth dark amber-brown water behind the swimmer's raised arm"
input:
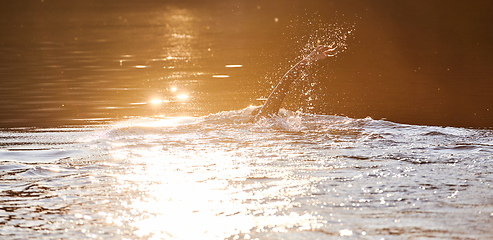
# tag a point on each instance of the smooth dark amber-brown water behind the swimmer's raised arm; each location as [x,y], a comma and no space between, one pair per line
[85,62]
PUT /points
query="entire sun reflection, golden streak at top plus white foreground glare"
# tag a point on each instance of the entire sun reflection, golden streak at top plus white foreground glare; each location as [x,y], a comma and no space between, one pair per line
[183,185]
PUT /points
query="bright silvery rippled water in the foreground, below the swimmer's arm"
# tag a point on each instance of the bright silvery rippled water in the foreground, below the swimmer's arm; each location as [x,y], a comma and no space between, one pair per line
[297,176]
